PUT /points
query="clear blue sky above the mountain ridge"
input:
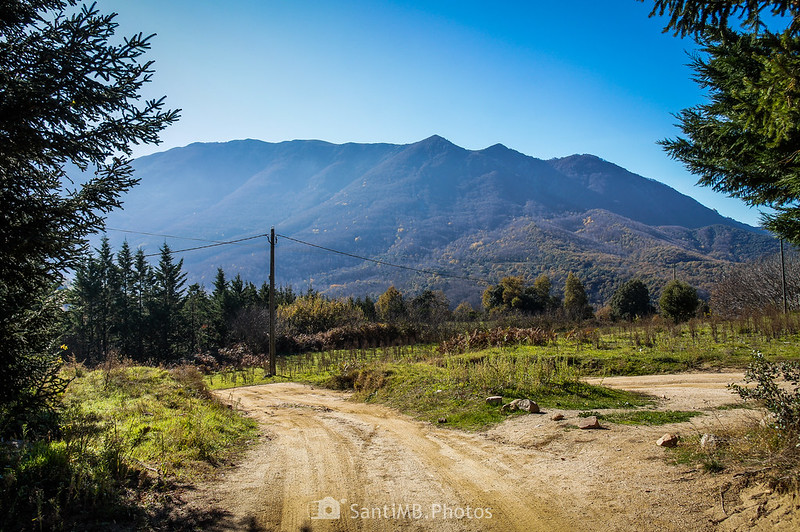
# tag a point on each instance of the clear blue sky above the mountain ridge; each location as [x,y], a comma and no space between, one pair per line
[548,79]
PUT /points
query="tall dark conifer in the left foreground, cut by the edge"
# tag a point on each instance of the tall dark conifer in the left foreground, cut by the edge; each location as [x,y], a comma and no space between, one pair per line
[67,95]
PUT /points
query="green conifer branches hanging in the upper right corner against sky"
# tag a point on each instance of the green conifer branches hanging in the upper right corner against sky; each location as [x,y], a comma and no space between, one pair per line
[745,141]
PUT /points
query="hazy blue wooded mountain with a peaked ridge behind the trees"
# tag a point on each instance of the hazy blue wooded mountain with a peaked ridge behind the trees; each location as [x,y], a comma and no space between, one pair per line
[430,205]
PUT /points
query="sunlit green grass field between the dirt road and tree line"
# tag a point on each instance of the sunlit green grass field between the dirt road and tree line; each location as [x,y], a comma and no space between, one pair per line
[433,385]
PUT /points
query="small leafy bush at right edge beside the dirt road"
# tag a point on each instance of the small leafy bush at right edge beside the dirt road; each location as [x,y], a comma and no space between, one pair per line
[781,399]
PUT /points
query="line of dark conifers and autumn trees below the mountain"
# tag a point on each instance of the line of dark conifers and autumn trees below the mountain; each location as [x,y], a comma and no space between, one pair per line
[119,303]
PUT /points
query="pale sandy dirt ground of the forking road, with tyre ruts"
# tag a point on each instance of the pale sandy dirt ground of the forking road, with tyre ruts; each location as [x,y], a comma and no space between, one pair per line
[384,471]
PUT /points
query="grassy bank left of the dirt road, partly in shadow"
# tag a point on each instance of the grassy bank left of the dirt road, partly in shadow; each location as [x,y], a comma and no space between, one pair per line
[127,433]
